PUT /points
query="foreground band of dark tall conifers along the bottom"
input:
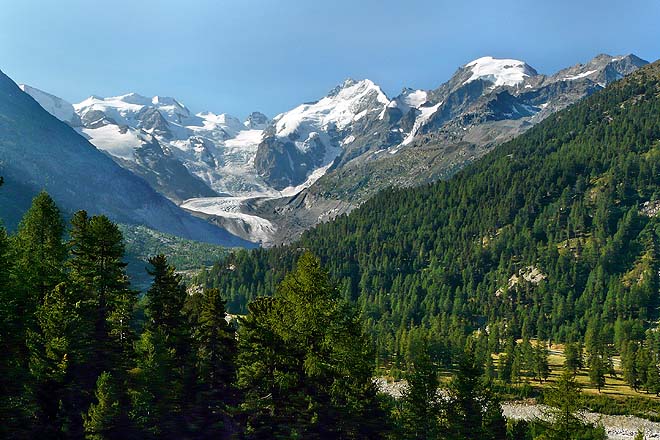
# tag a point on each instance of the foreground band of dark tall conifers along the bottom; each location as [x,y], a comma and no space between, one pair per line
[86,358]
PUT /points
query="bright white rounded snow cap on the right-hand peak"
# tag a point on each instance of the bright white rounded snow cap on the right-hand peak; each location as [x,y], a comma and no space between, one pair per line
[500,72]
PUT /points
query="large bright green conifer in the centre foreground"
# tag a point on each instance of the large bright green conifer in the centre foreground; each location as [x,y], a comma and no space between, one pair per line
[304,364]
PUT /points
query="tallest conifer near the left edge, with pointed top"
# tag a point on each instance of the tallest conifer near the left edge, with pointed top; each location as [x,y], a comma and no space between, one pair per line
[37,253]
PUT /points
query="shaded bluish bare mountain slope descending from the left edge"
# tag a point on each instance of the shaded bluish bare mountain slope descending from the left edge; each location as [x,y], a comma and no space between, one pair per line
[39,152]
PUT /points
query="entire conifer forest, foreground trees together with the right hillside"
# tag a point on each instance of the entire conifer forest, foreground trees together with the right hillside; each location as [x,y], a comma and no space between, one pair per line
[552,237]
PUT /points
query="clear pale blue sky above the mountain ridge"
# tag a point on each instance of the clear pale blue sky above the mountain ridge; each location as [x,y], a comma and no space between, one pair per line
[270,55]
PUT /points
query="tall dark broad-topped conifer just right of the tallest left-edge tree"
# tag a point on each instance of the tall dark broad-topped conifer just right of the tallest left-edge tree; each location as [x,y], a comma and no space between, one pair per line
[102,291]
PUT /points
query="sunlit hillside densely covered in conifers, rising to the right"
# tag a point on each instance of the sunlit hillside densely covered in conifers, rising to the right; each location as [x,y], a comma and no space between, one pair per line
[553,235]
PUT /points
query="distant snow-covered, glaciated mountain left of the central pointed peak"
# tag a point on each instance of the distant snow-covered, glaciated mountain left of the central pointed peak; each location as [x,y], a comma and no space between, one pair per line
[216,149]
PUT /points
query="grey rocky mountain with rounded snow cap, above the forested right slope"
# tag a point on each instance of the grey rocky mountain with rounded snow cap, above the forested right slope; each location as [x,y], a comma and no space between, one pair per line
[425,135]
